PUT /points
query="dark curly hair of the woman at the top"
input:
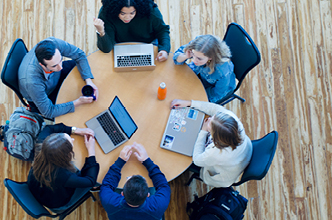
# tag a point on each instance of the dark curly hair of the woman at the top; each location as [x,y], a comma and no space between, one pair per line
[113,7]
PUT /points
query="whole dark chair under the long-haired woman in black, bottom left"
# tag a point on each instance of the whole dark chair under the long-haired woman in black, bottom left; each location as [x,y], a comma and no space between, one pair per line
[21,193]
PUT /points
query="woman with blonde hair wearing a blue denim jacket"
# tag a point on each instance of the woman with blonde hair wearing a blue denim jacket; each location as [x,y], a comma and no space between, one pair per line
[211,62]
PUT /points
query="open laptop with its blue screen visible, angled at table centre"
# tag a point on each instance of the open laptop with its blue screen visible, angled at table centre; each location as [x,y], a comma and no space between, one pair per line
[112,127]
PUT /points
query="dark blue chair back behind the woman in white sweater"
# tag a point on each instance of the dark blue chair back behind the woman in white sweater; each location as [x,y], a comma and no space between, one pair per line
[261,159]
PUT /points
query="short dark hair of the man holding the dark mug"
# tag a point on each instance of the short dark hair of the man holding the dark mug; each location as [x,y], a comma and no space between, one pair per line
[45,50]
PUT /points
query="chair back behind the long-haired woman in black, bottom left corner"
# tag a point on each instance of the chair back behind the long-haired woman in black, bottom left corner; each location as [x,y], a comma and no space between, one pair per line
[21,193]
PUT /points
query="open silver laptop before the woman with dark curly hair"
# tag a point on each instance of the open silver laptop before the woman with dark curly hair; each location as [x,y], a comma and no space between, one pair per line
[134,57]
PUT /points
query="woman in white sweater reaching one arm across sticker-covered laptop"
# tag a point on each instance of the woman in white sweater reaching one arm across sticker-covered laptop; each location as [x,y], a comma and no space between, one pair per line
[222,149]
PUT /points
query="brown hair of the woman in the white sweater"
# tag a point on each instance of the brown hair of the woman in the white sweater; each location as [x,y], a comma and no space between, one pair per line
[225,131]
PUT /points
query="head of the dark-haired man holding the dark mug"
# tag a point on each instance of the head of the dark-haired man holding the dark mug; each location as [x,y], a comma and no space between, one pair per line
[48,56]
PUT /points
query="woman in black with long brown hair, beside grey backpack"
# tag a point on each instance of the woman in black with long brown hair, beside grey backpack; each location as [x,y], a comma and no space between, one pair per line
[53,178]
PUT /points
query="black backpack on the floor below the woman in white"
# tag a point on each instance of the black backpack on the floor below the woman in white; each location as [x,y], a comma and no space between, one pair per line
[218,204]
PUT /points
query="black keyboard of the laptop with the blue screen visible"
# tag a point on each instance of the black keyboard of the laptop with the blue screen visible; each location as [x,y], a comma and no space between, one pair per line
[111,128]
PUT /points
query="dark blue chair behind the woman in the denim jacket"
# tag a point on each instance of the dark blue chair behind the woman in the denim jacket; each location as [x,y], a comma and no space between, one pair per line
[245,56]
